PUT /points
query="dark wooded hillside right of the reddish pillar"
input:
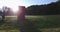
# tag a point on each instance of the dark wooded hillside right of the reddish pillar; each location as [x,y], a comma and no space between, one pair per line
[46,9]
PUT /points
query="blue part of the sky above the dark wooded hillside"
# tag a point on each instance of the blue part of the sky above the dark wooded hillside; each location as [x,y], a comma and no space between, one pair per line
[37,2]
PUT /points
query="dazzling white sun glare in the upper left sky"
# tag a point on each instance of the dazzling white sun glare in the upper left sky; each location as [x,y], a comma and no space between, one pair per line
[13,4]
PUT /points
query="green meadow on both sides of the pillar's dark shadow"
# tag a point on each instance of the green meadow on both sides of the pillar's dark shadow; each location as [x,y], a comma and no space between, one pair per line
[44,22]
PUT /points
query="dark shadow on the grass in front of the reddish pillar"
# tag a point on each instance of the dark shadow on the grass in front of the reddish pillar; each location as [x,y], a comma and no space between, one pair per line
[29,26]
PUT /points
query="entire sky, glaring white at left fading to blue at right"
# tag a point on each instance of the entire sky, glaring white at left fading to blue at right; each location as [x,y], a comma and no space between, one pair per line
[15,3]
